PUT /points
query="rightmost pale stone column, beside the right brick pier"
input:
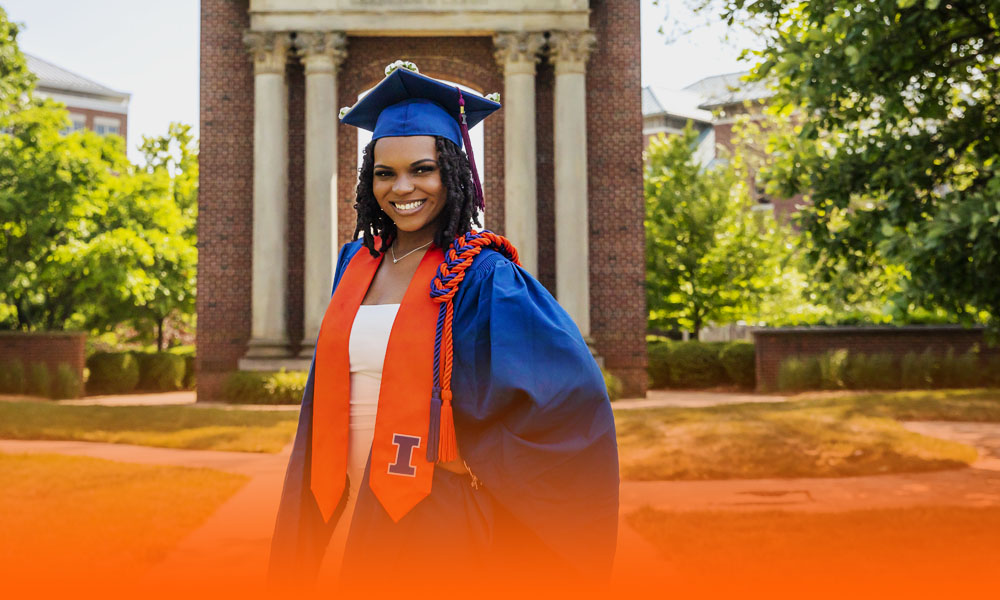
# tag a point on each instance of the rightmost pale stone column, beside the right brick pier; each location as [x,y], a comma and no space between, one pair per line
[569,51]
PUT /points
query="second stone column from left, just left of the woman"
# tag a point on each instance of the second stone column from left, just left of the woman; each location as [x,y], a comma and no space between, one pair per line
[321,53]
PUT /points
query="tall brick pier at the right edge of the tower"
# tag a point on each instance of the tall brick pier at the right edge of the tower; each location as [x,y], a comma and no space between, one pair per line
[617,239]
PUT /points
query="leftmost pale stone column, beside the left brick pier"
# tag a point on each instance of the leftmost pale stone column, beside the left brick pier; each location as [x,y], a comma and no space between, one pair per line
[269,332]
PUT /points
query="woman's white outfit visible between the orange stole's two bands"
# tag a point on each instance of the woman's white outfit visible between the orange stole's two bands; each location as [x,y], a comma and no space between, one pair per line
[368,342]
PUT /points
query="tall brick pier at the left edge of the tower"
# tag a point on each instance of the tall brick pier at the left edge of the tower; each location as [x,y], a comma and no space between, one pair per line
[225,196]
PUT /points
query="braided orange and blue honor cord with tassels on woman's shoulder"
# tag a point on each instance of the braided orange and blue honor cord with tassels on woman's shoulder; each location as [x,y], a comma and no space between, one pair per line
[441,443]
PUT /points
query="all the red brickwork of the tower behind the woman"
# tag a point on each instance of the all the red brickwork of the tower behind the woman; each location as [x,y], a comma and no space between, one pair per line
[614,131]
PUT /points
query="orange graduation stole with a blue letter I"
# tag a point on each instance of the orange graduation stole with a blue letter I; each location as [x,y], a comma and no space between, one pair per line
[404,397]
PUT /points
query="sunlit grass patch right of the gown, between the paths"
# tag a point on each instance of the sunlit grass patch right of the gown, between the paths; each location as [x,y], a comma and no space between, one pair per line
[819,437]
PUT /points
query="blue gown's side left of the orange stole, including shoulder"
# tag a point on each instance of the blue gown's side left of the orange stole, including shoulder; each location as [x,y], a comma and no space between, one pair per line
[300,534]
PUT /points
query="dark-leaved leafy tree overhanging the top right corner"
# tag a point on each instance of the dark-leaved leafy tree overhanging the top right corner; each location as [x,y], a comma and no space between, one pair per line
[899,155]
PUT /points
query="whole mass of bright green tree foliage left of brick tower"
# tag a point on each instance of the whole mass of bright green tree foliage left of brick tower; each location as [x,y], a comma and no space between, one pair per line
[88,240]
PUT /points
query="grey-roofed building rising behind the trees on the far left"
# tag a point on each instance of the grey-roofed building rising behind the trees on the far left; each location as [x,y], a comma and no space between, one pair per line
[91,105]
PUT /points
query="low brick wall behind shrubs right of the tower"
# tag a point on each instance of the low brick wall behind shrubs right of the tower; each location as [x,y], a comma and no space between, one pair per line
[775,345]
